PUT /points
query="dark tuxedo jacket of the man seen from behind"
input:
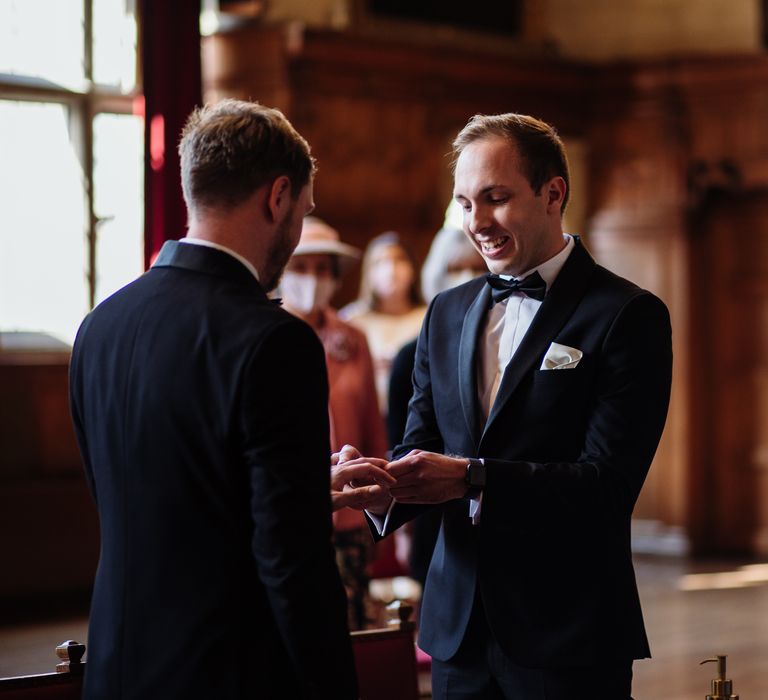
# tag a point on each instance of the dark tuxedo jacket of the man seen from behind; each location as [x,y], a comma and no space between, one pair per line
[201,411]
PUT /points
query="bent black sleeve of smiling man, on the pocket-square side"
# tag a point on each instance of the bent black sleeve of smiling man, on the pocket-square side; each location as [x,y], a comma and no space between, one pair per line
[623,428]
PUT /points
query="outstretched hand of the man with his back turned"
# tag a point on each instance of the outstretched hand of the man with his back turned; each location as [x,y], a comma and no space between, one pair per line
[359,482]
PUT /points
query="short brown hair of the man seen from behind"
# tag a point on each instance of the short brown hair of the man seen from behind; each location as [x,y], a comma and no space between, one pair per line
[231,148]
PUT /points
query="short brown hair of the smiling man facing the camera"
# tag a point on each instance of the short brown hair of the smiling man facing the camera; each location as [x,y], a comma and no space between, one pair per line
[538,143]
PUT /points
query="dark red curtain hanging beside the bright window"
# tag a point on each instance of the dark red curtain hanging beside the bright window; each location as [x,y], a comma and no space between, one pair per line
[171,76]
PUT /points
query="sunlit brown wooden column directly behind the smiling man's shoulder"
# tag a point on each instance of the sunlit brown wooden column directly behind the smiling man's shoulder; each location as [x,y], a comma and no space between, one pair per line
[636,229]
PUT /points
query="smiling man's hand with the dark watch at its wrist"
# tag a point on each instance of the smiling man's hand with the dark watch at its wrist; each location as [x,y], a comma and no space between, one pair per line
[428,477]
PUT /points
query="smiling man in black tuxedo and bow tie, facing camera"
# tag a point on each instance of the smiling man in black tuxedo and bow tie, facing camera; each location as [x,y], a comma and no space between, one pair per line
[540,395]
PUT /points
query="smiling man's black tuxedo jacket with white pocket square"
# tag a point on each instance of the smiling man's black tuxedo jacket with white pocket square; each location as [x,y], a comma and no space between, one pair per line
[566,453]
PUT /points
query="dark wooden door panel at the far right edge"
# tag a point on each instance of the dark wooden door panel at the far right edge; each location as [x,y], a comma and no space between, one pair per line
[729,382]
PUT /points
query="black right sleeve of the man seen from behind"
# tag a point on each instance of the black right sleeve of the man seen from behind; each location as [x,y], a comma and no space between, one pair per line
[284,424]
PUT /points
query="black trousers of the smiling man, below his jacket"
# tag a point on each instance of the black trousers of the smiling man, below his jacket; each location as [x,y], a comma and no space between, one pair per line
[480,670]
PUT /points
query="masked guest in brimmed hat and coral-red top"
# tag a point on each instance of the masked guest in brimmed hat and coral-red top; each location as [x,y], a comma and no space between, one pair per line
[308,284]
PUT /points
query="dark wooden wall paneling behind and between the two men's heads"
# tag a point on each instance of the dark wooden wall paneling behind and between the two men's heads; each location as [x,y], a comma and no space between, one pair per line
[381,114]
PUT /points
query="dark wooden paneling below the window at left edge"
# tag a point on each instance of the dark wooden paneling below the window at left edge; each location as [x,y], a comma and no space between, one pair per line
[49,530]
